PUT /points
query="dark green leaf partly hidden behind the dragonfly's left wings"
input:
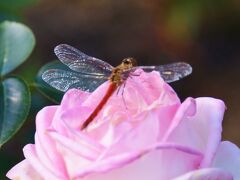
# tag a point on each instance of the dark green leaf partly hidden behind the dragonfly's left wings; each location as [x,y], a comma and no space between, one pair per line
[48,91]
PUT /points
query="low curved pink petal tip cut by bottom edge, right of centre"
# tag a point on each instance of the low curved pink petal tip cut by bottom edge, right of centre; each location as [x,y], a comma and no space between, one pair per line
[209,173]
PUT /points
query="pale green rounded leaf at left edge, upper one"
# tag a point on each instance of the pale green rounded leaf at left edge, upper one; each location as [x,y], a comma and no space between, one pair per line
[16,44]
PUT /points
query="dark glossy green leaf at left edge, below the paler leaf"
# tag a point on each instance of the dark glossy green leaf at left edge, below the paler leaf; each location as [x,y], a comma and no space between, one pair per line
[14,107]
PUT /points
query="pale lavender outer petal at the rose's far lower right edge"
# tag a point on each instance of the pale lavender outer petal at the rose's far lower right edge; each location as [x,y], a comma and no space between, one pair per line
[228,158]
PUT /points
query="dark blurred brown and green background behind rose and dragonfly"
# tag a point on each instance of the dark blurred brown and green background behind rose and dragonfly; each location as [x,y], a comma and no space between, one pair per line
[204,33]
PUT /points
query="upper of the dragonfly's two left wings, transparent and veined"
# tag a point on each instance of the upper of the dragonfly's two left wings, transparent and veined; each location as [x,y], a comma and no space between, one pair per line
[80,62]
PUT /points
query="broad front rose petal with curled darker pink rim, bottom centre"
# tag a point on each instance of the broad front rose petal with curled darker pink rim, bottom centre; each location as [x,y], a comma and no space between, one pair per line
[161,161]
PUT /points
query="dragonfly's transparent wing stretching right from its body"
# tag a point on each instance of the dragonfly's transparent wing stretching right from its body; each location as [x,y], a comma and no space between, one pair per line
[169,72]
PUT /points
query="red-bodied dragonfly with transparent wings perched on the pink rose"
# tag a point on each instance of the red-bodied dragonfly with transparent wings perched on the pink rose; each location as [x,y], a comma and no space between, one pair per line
[87,73]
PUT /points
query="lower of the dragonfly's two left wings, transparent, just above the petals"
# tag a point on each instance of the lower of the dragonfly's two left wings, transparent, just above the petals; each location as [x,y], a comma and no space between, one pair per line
[63,80]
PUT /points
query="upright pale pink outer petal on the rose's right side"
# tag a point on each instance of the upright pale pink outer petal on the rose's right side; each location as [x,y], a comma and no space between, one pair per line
[201,131]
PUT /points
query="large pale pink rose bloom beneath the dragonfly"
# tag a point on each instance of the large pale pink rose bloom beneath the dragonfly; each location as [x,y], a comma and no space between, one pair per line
[144,133]
